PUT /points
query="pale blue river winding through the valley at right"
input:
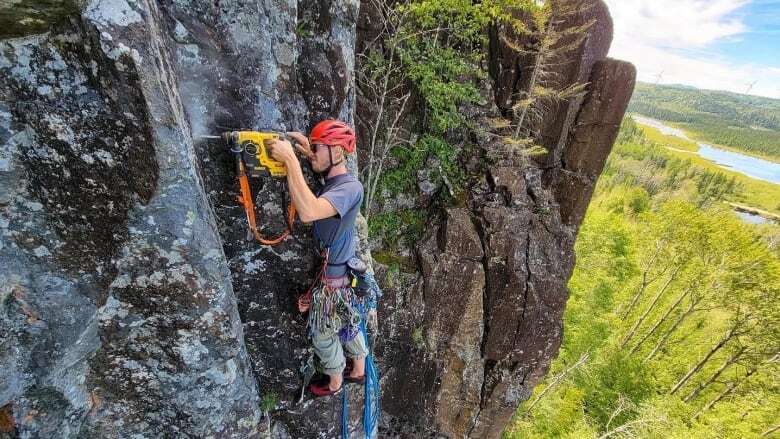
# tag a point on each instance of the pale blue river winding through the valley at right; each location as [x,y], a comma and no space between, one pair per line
[744,164]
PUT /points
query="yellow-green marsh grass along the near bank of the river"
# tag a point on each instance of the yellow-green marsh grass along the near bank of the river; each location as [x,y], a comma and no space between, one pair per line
[757,193]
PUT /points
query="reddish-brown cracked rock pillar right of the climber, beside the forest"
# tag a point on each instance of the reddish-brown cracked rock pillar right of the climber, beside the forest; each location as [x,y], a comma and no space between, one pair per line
[480,321]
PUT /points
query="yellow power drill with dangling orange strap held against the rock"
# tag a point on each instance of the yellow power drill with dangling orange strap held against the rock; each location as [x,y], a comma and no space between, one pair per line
[253,160]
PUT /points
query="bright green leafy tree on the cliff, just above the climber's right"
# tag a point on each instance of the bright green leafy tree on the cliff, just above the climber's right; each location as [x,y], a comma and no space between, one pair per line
[427,52]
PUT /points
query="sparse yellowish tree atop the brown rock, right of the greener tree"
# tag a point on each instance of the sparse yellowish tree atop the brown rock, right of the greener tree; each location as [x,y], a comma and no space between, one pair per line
[543,33]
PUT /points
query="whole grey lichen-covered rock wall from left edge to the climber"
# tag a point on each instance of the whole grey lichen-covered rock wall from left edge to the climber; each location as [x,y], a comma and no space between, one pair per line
[125,258]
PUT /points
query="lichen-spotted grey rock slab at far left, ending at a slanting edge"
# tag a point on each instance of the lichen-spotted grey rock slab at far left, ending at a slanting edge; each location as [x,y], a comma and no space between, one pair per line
[118,316]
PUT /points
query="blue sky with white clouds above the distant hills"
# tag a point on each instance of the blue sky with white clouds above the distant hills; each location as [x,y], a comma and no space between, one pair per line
[729,45]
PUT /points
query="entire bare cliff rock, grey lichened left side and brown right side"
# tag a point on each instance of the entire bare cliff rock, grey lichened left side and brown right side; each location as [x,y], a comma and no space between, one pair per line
[131,302]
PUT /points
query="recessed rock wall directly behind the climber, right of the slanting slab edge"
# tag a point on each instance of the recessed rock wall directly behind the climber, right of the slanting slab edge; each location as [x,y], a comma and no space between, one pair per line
[281,65]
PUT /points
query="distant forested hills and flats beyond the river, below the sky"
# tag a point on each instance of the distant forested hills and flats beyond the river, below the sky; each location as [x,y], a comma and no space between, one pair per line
[745,122]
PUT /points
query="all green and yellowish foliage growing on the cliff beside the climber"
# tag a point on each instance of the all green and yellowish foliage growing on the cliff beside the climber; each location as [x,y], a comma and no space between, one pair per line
[431,58]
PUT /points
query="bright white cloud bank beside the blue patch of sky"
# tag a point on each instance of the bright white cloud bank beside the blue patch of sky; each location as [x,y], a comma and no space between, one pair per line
[671,36]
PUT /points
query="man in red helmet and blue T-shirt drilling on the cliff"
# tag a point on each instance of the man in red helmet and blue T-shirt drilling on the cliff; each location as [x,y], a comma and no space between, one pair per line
[333,318]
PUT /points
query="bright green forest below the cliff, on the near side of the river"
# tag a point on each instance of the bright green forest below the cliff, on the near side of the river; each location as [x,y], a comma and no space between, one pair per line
[671,330]
